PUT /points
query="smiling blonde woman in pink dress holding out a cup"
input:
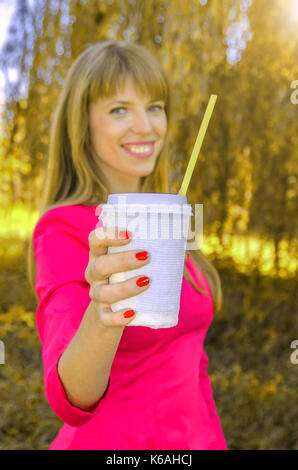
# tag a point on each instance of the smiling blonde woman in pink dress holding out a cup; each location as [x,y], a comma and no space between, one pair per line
[116,387]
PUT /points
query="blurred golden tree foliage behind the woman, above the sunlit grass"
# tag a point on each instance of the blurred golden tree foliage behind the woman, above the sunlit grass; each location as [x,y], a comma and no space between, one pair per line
[242,50]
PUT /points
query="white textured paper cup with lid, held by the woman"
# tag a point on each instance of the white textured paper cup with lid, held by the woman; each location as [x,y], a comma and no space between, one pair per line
[159,224]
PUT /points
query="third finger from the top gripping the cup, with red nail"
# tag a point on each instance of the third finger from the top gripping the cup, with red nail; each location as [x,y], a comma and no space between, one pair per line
[111,293]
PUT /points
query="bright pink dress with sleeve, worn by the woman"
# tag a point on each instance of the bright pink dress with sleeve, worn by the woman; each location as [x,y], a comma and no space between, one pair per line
[159,394]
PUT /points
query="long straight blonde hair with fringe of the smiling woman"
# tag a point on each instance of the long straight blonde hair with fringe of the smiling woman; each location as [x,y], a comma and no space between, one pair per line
[72,175]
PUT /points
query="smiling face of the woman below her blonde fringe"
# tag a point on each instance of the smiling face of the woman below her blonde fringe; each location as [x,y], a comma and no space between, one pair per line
[127,137]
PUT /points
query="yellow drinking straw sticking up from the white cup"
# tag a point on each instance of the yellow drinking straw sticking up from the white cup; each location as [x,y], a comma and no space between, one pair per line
[197,146]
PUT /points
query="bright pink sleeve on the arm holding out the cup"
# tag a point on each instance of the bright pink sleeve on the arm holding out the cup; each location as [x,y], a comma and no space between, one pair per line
[61,256]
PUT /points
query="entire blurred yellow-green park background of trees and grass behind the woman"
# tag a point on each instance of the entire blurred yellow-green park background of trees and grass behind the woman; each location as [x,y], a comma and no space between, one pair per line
[246,52]
